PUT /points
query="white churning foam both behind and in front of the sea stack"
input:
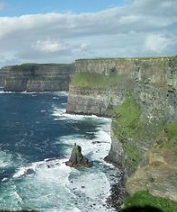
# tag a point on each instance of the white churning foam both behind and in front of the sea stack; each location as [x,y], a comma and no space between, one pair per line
[63,188]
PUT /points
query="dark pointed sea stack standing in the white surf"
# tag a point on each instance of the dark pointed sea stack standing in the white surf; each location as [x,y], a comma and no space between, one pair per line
[77,159]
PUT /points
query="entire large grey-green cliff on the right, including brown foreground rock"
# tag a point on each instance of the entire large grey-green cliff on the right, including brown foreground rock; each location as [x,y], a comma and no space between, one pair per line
[141,96]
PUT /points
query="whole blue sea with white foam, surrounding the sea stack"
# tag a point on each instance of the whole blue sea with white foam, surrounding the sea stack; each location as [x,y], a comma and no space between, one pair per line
[36,138]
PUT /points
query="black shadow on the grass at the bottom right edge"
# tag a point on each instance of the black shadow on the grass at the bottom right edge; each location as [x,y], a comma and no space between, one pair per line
[141,209]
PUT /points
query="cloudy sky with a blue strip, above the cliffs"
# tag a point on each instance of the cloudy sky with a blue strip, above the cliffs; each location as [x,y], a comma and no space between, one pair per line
[61,31]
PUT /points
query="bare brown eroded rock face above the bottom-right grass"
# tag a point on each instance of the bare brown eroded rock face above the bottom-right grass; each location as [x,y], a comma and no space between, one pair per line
[158,176]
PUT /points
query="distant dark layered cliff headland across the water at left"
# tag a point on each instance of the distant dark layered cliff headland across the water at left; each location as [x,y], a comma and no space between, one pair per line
[39,77]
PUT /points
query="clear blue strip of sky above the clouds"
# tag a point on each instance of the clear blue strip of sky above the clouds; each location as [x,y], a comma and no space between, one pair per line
[21,7]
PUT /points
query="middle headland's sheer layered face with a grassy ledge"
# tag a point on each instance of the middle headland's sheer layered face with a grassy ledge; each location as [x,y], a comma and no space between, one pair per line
[99,85]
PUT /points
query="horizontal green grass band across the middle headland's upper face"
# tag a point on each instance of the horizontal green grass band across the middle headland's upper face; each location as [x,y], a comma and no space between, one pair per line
[86,79]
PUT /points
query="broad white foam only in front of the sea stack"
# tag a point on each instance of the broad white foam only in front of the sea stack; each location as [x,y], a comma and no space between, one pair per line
[61,188]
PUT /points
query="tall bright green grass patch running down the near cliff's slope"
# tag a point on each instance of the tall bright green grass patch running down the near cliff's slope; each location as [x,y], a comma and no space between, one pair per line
[126,125]
